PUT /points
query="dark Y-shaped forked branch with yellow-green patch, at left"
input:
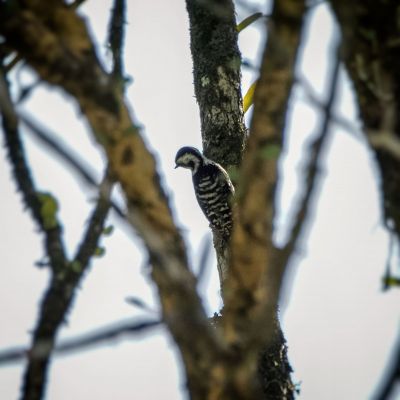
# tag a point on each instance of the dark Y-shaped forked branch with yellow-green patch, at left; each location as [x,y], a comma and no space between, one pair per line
[64,276]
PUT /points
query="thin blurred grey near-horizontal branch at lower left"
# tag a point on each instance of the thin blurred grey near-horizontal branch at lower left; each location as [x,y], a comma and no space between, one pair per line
[99,336]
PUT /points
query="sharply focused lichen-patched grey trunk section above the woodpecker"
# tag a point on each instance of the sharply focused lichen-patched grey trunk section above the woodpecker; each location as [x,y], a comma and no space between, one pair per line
[216,71]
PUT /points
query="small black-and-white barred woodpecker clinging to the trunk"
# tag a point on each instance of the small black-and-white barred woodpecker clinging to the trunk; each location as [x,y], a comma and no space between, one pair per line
[212,186]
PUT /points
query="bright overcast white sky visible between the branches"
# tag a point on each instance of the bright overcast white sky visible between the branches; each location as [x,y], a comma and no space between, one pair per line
[339,325]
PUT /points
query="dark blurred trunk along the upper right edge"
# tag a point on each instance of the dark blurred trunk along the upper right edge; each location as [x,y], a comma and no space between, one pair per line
[370,36]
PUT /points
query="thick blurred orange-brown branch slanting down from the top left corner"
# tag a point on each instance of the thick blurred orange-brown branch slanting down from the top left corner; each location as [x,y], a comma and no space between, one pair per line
[69,60]
